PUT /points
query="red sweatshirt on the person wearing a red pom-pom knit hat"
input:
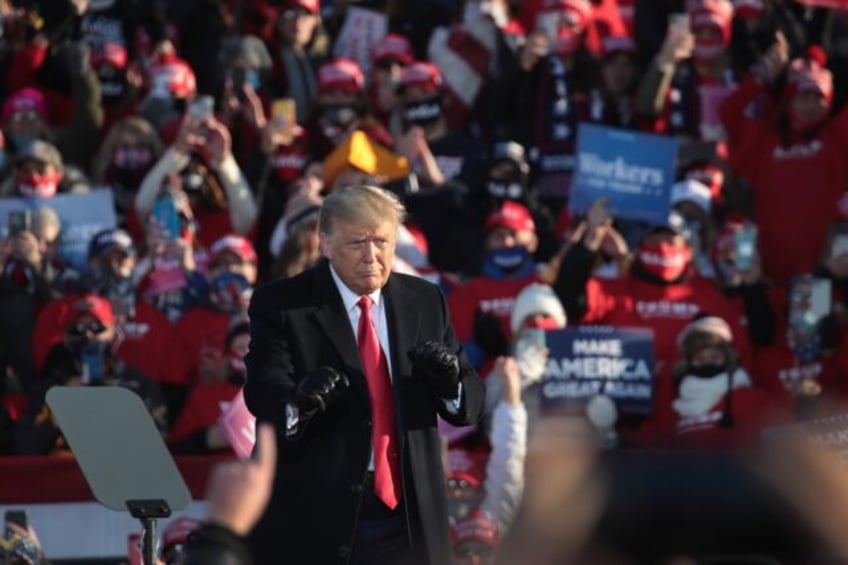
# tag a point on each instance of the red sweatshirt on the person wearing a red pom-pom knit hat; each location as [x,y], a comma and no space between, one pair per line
[796,183]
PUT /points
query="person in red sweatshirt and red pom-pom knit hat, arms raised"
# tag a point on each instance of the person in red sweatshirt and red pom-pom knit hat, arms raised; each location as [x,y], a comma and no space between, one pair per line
[799,144]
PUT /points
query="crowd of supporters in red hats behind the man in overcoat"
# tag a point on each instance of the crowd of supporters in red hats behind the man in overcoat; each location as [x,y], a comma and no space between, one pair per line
[218,129]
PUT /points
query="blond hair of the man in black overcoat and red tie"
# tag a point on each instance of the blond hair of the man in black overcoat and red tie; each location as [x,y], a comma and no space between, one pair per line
[362,204]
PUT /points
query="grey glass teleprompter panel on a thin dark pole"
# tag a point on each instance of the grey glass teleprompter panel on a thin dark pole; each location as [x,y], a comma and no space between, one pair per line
[121,454]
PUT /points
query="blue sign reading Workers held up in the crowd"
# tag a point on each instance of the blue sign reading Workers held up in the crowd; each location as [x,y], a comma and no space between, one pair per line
[635,170]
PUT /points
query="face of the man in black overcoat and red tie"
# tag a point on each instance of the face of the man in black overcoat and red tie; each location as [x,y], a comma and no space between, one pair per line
[361,253]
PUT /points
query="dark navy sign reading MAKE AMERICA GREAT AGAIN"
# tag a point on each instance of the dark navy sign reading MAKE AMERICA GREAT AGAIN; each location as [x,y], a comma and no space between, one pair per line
[588,360]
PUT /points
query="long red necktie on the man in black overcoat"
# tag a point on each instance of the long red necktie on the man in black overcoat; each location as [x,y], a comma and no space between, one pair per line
[383,435]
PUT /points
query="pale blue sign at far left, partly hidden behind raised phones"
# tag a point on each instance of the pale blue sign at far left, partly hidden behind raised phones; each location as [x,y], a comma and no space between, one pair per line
[82,216]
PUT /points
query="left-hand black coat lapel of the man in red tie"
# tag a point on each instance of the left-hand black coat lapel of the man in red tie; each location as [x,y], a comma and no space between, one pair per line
[335,323]
